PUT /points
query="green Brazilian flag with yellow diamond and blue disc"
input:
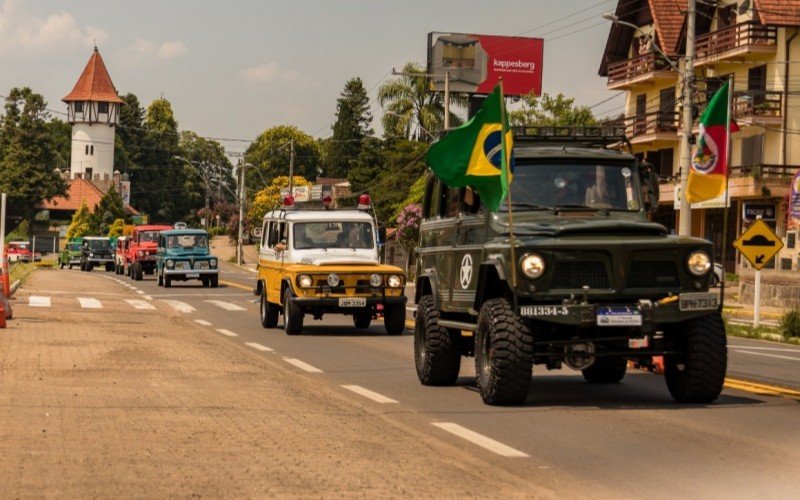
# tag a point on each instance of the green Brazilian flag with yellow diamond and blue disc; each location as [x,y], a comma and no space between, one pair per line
[475,154]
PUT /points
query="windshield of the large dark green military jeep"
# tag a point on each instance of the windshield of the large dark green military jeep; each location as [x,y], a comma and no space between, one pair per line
[576,185]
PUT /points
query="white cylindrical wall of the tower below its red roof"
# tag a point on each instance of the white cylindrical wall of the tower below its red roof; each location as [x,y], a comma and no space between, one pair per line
[92,148]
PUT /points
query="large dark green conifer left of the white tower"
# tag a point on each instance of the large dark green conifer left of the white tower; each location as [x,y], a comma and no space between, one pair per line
[27,154]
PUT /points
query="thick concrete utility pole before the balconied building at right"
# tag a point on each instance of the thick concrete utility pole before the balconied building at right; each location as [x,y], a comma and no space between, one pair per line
[685,221]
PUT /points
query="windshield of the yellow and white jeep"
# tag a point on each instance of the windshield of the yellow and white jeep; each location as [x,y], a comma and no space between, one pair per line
[333,235]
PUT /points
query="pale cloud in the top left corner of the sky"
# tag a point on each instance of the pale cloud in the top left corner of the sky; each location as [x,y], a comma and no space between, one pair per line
[23,32]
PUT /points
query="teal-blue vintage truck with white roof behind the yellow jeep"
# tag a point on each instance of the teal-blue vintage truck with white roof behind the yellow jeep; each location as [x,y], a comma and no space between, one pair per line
[183,255]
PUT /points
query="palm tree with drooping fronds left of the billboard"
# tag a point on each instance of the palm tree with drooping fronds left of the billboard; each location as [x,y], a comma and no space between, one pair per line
[413,111]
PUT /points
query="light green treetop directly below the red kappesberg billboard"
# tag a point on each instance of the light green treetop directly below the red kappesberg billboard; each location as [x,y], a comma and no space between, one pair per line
[559,111]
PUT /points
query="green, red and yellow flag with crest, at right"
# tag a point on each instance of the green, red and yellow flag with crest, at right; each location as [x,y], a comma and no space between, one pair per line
[709,173]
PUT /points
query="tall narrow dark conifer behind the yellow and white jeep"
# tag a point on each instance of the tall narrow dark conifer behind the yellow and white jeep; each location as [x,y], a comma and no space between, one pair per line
[352,126]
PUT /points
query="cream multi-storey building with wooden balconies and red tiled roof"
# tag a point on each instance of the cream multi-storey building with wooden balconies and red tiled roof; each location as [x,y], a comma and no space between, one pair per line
[757,45]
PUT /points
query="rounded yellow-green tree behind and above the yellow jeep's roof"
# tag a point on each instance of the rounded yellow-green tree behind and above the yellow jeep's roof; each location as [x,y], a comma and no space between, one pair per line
[270,154]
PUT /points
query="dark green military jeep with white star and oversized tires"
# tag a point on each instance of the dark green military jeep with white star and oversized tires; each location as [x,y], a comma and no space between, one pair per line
[585,280]
